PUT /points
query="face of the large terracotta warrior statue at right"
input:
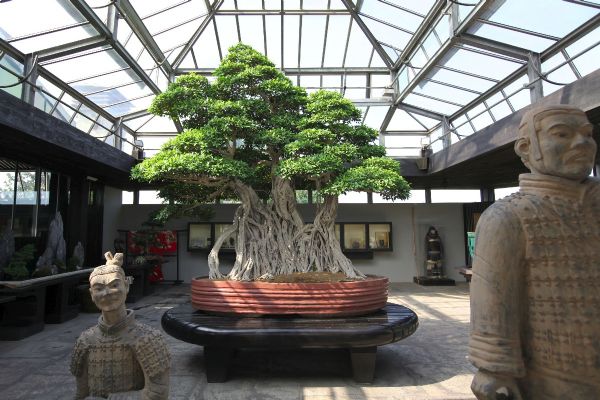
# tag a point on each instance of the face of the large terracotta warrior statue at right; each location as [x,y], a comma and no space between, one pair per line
[566,145]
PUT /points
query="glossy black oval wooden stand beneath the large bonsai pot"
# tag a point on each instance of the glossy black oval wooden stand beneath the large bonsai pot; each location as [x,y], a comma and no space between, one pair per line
[222,335]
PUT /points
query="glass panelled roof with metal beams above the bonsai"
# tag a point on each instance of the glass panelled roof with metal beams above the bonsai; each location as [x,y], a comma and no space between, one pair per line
[408,65]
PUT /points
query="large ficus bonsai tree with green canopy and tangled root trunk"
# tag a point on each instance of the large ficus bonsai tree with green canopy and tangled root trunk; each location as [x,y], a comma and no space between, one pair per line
[251,134]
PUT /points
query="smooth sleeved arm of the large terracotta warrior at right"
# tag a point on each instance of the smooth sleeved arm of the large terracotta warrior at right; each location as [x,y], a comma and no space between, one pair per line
[497,293]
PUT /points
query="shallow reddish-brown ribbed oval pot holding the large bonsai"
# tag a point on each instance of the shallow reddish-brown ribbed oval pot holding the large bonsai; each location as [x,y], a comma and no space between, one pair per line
[308,299]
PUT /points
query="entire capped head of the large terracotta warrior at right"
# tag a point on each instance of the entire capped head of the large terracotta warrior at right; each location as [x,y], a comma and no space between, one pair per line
[557,140]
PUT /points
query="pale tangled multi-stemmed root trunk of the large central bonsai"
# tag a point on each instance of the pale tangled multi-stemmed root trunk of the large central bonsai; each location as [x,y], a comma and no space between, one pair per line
[271,239]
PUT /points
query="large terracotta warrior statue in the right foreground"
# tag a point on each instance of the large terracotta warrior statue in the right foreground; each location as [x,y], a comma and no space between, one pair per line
[535,292]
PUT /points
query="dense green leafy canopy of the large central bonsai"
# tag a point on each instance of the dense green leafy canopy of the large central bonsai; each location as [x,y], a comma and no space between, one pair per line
[250,123]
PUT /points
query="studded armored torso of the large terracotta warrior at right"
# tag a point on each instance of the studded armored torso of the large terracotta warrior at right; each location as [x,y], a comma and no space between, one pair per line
[562,284]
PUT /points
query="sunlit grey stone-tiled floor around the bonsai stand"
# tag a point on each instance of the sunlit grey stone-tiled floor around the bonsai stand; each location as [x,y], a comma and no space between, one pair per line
[429,365]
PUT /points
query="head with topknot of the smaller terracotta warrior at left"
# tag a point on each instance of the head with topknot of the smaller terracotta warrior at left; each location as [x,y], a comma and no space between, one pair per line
[109,285]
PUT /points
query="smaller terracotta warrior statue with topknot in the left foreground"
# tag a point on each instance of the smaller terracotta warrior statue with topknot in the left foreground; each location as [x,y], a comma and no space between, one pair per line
[119,358]
